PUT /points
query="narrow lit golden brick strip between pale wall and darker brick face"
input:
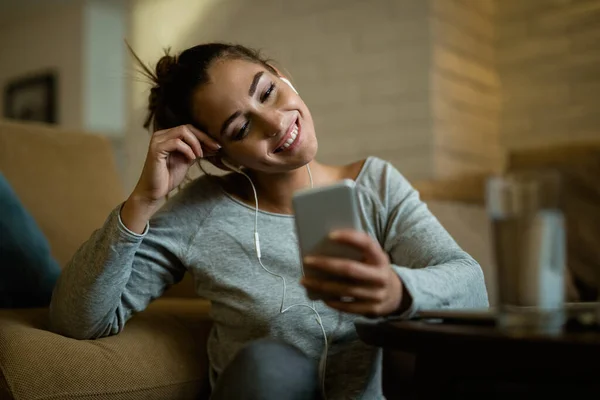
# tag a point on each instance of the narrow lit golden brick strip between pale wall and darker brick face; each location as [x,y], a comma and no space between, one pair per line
[465,87]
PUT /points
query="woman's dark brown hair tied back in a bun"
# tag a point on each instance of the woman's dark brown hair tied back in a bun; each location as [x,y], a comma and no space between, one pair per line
[176,77]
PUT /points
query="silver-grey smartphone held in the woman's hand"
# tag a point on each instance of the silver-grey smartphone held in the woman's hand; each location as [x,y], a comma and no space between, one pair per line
[318,212]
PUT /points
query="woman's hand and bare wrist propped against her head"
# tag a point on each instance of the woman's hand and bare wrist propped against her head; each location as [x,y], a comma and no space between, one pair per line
[170,154]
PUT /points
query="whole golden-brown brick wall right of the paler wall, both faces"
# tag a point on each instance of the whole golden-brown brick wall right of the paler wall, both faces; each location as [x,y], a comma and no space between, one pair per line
[510,74]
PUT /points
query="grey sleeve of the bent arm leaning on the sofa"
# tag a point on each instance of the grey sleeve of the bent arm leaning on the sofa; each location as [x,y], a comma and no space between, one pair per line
[115,274]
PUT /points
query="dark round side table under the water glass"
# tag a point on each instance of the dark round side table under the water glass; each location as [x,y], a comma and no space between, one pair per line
[459,361]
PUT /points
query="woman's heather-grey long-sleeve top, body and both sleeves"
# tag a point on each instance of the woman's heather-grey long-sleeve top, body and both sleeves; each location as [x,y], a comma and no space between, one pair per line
[203,230]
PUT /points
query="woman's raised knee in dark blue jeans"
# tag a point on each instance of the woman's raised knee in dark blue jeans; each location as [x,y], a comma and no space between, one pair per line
[268,369]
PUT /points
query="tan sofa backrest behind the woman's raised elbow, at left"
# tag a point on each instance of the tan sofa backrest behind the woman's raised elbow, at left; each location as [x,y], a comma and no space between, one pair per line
[68,181]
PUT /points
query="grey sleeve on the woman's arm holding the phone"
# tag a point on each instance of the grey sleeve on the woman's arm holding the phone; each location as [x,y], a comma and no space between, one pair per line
[435,271]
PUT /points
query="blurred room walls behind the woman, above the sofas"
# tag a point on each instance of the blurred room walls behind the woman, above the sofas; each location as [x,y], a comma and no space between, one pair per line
[438,87]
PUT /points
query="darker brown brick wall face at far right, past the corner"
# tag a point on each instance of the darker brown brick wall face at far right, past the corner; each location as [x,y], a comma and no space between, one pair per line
[549,63]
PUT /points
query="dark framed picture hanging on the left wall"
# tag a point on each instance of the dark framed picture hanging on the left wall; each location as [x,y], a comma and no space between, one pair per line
[31,98]
